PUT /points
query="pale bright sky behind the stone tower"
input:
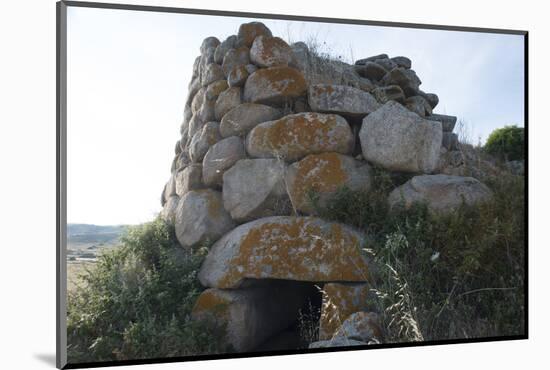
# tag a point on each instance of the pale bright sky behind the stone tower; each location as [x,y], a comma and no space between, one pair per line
[127,77]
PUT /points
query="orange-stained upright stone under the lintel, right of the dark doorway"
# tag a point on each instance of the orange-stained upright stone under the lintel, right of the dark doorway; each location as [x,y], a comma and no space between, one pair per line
[340,300]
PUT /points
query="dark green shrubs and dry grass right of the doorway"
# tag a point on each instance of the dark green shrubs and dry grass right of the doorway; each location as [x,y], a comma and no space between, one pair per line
[442,277]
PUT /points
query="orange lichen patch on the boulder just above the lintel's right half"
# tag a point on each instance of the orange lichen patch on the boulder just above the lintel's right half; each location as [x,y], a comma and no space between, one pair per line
[318,172]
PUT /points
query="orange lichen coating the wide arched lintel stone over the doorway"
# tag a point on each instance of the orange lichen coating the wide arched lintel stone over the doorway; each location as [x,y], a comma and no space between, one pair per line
[300,249]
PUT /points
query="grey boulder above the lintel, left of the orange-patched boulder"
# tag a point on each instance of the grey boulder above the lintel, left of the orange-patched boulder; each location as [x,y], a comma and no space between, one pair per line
[254,188]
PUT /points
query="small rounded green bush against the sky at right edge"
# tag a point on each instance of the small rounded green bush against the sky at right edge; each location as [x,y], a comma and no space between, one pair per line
[507,143]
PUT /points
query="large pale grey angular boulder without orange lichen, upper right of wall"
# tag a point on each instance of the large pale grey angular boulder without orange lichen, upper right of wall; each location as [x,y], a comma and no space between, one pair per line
[399,140]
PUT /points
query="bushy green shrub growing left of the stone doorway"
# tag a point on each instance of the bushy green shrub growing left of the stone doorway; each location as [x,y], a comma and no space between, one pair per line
[136,302]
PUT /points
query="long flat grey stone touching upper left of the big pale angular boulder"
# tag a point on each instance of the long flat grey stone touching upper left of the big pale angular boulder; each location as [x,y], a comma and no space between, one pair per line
[344,100]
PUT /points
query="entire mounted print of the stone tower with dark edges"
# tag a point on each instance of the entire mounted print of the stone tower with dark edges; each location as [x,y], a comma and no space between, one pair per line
[235,184]
